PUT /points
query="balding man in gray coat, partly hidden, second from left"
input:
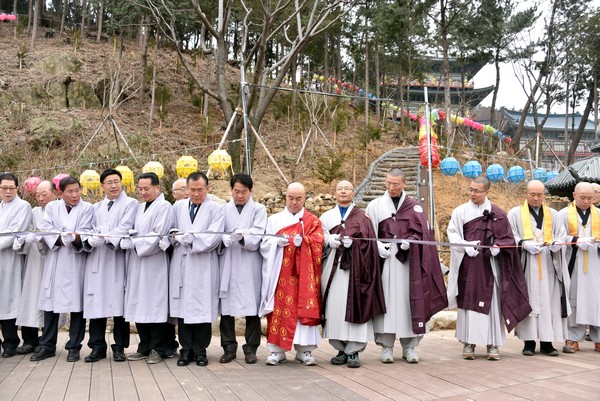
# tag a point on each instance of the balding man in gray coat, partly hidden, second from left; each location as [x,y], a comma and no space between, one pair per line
[30,317]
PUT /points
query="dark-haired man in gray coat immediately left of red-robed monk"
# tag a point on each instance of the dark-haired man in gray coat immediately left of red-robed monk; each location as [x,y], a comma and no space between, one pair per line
[241,268]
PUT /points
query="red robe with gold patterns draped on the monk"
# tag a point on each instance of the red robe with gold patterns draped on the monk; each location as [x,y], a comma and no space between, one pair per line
[298,291]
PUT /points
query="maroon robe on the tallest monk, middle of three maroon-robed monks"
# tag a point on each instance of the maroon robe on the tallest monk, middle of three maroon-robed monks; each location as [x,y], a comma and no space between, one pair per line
[427,287]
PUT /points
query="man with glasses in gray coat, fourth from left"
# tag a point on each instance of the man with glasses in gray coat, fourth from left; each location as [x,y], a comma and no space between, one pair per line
[104,287]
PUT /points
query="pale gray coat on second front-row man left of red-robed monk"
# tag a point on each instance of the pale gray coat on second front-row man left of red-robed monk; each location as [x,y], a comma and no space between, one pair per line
[194,272]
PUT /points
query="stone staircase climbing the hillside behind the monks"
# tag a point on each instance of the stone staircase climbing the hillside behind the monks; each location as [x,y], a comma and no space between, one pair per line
[373,185]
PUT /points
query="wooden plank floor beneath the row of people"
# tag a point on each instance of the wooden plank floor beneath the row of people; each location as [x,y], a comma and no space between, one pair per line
[441,374]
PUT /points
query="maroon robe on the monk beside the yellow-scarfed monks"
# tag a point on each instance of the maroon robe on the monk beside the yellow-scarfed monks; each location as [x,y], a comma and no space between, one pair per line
[475,276]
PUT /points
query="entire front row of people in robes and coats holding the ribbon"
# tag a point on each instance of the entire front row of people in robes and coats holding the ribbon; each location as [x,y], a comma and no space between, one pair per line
[371,275]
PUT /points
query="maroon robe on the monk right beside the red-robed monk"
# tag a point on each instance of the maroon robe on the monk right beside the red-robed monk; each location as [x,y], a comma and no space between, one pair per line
[365,291]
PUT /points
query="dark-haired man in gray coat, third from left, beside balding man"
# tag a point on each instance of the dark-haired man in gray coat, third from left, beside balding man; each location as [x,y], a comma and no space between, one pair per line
[62,283]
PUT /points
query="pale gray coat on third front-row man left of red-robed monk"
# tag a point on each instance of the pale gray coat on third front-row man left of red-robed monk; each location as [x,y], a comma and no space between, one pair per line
[146,289]
